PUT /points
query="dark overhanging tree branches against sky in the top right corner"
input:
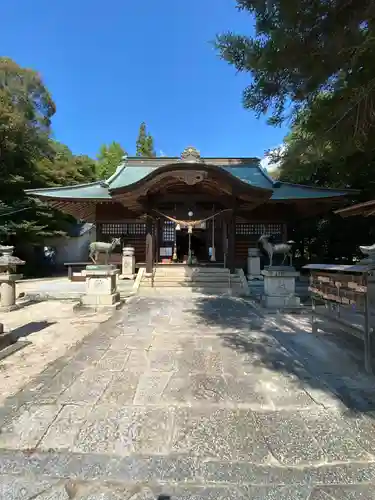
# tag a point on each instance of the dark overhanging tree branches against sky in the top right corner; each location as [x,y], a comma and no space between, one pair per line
[309,54]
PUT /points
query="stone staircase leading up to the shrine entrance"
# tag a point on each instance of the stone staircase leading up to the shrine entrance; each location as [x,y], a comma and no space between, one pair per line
[206,280]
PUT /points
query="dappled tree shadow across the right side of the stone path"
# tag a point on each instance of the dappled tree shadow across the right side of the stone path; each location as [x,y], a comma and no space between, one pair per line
[330,361]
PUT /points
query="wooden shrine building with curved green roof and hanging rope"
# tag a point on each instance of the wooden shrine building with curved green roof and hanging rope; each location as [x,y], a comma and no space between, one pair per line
[217,207]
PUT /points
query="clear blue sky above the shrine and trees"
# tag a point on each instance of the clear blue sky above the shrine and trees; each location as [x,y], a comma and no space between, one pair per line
[110,65]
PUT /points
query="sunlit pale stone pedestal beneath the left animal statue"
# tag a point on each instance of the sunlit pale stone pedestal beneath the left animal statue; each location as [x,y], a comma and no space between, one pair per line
[101,286]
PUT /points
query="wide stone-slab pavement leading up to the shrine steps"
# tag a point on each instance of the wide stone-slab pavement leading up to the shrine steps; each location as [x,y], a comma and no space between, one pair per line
[194,397]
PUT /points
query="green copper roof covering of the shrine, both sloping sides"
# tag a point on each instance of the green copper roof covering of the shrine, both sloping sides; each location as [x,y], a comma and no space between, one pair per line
[132,171]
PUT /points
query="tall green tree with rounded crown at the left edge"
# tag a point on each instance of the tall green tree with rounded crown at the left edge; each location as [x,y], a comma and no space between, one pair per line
[26,109]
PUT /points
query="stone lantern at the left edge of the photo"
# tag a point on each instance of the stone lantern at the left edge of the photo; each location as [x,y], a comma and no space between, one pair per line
[8,278]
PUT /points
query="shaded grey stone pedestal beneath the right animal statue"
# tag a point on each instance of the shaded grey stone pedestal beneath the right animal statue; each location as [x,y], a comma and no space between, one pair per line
[280,288]
